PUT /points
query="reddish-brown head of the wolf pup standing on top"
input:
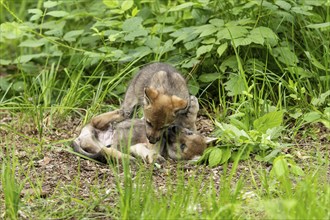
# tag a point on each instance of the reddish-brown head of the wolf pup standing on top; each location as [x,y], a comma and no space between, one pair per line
[159,112]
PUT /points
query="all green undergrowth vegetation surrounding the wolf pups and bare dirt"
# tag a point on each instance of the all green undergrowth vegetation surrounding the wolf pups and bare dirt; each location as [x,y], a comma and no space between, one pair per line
[260,69]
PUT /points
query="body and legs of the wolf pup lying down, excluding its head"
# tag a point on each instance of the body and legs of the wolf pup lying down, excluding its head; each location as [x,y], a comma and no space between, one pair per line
[116,142]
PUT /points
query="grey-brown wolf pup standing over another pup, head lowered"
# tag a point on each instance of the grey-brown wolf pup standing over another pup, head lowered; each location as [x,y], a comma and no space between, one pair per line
[163,93]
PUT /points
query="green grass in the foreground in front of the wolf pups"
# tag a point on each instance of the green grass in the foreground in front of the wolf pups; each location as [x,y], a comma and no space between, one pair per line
[233,194]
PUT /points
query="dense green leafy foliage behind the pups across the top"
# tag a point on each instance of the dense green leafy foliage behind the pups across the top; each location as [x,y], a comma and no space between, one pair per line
[235,45]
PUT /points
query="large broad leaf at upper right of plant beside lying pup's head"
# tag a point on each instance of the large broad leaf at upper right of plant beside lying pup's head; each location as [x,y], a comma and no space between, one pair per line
[268,121]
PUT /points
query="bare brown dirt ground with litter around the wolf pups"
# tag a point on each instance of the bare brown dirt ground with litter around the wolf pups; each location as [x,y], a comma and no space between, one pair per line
[56,166]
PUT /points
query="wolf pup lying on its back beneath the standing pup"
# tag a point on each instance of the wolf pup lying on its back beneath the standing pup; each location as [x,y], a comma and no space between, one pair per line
[130,136]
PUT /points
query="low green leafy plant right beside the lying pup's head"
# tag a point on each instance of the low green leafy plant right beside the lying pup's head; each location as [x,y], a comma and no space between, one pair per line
[261,140]
